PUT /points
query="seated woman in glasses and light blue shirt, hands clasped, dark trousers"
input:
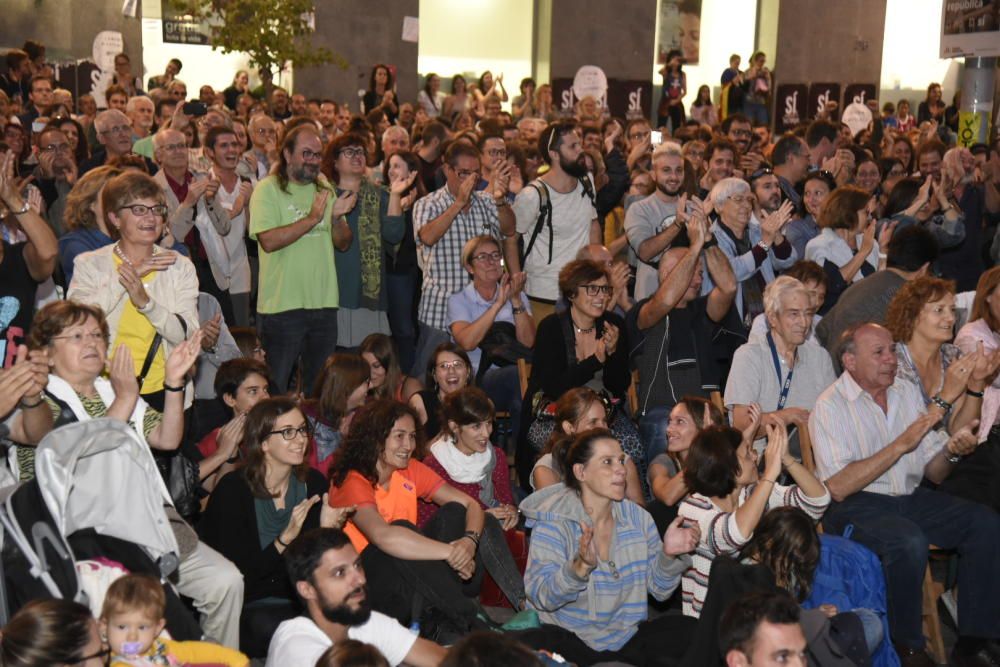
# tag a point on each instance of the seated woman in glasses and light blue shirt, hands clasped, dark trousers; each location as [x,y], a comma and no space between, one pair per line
[491,320]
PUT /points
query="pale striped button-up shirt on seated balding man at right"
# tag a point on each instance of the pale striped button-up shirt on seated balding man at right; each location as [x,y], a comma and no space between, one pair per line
[845,408]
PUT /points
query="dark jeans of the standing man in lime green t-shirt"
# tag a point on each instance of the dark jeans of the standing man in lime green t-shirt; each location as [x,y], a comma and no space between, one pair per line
[306,336]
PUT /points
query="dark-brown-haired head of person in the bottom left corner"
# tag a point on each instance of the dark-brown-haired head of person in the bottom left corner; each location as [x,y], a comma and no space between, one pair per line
[53,633]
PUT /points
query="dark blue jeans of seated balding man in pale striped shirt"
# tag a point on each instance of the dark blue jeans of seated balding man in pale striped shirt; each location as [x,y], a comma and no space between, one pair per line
[900,528]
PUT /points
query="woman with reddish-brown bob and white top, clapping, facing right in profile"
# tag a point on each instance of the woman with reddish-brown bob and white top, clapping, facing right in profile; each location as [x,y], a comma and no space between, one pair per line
[847,247]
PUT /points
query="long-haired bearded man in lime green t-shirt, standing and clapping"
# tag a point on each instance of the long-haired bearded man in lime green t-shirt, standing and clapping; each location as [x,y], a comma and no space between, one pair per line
[297,219]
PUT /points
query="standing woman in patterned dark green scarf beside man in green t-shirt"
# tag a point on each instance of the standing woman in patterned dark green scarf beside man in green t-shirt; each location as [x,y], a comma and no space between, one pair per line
[376,223]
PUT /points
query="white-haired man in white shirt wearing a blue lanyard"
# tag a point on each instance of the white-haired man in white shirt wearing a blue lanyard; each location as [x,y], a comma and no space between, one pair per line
[782,372]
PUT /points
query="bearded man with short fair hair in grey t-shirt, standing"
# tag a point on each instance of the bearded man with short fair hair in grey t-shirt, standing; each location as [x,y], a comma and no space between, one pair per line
[652,224]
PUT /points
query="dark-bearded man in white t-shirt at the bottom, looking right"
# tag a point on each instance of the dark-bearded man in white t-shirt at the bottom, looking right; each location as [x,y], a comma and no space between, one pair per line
[326,571]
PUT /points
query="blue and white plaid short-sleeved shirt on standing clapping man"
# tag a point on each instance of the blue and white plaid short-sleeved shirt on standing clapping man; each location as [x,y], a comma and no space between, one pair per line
[442,263]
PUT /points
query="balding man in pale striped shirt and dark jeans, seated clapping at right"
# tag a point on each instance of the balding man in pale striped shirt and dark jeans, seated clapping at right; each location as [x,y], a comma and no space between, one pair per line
[874,441]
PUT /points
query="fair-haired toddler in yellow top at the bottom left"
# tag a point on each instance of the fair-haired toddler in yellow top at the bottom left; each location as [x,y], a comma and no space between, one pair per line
[132,620]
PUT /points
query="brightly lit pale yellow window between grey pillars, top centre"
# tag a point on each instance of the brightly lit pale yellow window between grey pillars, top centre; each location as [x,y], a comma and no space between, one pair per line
[469,37]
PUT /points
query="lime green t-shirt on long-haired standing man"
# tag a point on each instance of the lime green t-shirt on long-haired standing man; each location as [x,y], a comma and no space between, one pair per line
[300,275]
